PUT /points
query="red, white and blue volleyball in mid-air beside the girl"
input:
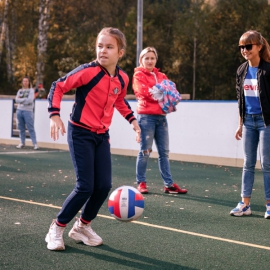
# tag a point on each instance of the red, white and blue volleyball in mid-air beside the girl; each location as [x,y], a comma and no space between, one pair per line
[126,203]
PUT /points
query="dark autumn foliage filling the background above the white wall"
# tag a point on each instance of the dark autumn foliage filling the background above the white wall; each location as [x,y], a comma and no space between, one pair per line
[171,26]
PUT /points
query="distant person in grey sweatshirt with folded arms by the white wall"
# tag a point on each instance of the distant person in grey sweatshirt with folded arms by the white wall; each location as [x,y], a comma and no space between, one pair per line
[25,116]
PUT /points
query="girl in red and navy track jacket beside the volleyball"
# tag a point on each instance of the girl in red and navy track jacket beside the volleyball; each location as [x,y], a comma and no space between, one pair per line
[101,86]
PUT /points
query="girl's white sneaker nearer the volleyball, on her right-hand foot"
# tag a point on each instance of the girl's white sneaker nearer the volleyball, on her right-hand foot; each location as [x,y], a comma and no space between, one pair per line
[84,233]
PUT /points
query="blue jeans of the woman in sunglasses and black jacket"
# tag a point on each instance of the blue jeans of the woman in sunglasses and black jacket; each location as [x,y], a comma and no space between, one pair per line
[255,134]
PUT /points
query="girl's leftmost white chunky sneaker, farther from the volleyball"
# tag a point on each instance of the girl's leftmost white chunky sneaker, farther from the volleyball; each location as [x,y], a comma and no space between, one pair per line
[54,237]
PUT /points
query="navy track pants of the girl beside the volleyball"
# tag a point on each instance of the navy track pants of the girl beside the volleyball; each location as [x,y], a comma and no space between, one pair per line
[91,157]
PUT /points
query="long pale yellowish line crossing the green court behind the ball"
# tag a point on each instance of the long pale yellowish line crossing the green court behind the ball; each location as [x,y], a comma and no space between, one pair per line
[153,226]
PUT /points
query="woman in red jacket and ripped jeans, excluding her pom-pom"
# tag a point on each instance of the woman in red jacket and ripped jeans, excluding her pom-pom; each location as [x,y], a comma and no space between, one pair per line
[152,121]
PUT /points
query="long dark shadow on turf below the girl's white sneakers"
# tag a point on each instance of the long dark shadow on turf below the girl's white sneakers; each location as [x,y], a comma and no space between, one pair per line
[130,259]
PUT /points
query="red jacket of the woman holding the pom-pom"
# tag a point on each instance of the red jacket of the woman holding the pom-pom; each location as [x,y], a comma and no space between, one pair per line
[143,79]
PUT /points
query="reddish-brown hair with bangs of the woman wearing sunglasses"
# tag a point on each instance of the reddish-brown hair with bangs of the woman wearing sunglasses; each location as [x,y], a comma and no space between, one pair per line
[254,37]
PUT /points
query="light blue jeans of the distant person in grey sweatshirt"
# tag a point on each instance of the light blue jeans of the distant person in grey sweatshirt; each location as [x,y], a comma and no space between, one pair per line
[26,118]
